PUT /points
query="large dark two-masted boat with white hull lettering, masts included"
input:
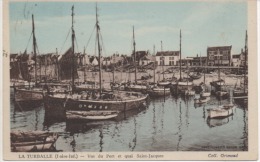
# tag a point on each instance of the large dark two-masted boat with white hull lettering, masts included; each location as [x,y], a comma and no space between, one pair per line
[96,101]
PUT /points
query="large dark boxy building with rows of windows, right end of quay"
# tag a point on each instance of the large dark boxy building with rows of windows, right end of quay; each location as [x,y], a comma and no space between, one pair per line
[219,55]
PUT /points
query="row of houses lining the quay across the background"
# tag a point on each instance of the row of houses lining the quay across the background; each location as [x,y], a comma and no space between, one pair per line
[218,55]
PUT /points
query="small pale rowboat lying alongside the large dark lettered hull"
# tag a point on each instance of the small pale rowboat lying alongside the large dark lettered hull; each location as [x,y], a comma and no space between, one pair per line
[91,115]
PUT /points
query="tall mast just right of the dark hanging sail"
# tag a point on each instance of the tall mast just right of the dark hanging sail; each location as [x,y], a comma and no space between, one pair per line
[72,47]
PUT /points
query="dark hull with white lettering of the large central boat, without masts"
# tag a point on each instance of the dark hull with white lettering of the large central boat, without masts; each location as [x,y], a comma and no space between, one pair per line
[120,101]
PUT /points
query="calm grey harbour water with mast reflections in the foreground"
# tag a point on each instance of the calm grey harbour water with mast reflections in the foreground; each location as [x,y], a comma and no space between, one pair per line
[173,124]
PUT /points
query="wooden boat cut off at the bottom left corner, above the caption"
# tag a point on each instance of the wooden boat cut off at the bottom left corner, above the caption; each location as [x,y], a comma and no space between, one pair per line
[33,141]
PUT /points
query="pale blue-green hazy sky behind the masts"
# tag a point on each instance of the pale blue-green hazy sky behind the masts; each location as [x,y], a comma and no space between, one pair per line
[202,23]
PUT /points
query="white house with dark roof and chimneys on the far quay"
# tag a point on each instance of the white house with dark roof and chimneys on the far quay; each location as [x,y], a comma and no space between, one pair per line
[167,57]
